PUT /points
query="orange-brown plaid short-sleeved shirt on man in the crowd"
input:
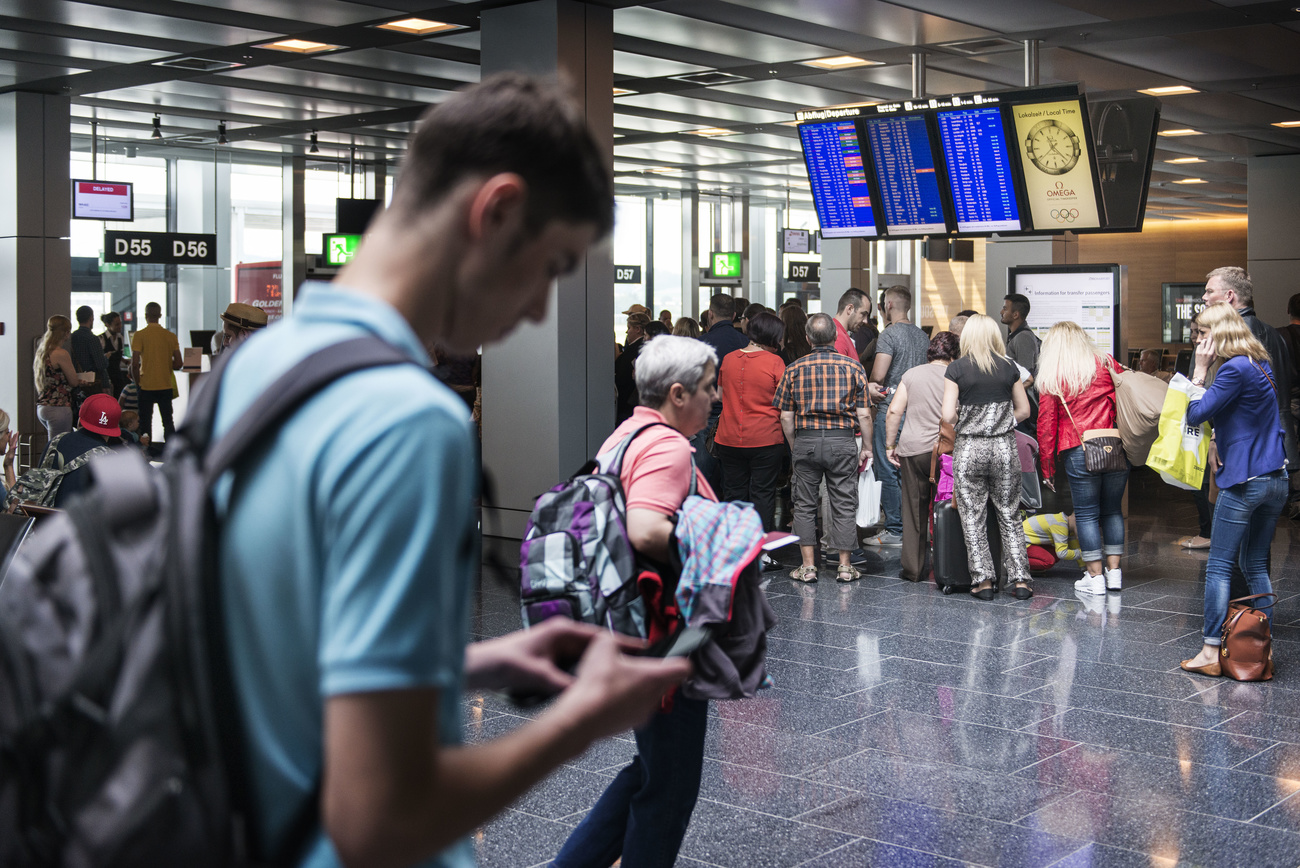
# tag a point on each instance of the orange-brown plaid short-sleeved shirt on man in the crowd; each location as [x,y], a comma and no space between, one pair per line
[825,390]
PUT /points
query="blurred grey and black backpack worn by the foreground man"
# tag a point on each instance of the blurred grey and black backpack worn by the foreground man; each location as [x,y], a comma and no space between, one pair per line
[120,741]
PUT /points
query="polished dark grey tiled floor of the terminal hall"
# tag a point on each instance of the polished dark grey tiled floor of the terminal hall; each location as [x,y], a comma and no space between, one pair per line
[911,728]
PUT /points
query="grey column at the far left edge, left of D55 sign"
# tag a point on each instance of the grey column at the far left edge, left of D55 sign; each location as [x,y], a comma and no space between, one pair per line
[36,267]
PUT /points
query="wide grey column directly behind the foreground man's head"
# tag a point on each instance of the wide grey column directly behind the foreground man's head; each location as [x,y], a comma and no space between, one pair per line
[549,389]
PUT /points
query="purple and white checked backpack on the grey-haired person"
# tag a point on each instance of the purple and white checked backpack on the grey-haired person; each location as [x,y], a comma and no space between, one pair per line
[577,559]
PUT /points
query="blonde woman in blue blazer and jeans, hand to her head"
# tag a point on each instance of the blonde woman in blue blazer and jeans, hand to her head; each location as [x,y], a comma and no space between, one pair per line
[1242,405]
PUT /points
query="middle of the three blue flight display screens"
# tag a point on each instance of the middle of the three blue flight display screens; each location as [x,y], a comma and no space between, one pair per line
[905,168]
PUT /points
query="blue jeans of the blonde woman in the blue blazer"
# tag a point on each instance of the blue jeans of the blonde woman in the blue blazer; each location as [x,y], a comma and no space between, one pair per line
[1245,519]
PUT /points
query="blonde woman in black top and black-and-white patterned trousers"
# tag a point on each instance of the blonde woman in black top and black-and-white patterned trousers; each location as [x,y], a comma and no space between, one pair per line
[985,400]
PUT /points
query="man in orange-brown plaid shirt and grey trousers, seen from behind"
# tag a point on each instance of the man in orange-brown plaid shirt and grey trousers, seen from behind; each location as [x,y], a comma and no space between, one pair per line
[822,397]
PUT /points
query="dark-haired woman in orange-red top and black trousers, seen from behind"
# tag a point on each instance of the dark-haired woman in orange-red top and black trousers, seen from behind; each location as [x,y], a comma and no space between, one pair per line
[749,442]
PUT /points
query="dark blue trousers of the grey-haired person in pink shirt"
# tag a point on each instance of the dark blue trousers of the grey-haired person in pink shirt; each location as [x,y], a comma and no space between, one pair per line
[644,814]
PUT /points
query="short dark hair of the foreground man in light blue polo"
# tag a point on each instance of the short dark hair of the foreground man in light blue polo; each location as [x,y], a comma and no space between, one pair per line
[510,123]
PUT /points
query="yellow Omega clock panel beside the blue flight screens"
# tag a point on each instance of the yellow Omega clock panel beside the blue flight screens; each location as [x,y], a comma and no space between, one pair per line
[1058,159]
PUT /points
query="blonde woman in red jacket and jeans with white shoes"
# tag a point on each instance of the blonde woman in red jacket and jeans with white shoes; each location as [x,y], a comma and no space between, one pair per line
[1077,394]
